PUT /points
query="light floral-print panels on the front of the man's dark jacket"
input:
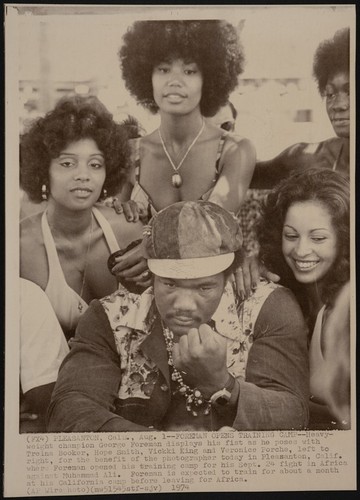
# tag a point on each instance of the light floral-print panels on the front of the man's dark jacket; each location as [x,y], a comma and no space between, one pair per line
[132,316]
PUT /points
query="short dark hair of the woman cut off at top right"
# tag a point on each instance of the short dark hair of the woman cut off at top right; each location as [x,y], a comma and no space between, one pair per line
[331,57]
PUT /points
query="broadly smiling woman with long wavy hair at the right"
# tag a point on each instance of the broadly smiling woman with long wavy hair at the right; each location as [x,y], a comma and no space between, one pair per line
[304,236]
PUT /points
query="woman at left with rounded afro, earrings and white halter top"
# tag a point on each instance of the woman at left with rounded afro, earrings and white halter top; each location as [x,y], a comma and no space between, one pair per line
[71,158]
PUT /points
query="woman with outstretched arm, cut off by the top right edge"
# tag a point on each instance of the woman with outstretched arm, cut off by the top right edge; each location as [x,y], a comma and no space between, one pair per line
[331,70]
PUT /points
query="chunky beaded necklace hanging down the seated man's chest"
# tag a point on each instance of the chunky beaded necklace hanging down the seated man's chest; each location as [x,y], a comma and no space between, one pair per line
[194,400]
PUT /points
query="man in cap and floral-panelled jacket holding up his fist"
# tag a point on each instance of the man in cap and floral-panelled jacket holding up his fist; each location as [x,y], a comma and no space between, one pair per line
[182,355]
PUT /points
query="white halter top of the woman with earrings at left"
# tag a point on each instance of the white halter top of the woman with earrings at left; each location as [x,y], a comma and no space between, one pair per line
[67,304]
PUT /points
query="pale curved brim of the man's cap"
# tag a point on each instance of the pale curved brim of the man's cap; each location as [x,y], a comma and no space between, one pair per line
[190,268]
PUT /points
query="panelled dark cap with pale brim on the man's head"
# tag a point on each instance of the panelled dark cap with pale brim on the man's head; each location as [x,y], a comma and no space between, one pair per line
[191,239]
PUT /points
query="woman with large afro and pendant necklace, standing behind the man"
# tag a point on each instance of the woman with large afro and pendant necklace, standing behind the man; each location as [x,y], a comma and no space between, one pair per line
[185,71]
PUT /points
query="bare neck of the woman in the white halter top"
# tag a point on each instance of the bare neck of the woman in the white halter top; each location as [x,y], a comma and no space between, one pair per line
[68,223]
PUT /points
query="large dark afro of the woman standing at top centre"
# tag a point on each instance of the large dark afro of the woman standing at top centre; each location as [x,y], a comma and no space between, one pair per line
[212,44]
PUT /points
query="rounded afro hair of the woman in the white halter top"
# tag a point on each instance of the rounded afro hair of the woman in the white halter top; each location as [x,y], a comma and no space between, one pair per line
[72,119]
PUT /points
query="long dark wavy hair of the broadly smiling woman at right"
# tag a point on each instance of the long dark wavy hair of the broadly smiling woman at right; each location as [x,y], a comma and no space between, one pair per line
[330,189]
